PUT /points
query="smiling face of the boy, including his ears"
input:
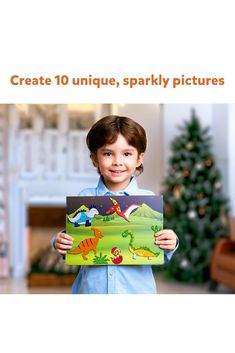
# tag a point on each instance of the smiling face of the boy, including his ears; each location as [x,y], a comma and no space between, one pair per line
[117,163]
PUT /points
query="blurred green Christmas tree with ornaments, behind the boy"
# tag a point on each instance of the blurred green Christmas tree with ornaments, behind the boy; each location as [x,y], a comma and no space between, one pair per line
[195,207]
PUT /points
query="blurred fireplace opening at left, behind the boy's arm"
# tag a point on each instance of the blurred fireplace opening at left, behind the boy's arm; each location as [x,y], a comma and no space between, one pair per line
[45,266]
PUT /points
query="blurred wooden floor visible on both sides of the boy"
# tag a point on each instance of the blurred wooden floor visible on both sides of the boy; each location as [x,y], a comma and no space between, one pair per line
[9,286]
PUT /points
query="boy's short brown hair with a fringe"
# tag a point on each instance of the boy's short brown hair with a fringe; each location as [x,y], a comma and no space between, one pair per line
[106,130]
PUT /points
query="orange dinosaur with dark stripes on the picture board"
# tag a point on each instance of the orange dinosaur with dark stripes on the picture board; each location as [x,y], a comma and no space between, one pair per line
[86,245]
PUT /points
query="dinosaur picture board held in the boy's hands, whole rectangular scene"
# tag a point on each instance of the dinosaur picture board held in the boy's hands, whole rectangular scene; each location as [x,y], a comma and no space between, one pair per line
[117,230]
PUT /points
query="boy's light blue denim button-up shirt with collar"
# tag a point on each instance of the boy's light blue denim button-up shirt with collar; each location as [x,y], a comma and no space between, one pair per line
[133,279]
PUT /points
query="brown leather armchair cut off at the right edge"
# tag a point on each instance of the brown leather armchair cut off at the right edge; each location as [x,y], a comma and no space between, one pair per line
[222,268]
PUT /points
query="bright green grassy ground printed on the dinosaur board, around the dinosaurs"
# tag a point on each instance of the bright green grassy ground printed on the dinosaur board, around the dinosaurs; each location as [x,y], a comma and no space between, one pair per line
[141,230]
